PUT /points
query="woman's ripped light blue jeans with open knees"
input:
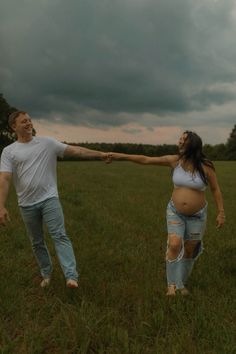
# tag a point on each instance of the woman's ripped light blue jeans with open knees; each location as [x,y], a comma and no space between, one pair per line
[187,229]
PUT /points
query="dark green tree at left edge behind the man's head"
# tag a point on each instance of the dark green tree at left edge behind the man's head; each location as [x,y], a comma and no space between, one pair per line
[6,136]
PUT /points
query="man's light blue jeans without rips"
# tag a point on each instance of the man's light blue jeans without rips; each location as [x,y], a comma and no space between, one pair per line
[49,212]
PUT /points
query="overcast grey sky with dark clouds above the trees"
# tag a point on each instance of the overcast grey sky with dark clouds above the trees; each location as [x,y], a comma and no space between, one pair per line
[121,70]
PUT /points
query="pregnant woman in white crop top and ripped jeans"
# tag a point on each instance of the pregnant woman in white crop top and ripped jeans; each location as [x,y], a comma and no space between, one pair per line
[186,212]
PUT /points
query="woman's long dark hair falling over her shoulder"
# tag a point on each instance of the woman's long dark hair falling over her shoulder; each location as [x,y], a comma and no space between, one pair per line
[193,153]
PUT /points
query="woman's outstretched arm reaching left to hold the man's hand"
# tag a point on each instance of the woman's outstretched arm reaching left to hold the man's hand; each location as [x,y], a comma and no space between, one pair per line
[167,160]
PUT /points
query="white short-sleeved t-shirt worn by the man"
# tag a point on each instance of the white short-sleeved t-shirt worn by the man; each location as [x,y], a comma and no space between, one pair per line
[33,166]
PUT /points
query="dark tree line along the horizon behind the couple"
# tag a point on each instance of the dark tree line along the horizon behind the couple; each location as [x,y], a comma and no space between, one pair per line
[216,152]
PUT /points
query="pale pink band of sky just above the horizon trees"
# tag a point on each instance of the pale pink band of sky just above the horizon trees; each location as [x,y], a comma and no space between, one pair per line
[156,136]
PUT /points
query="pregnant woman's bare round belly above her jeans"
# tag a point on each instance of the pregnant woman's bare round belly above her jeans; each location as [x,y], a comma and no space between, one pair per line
[188,201]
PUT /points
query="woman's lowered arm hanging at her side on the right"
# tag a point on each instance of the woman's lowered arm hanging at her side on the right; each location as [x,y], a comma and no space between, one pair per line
[216,192]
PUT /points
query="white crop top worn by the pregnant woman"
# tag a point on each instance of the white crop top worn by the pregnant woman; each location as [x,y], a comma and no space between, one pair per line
[182,178]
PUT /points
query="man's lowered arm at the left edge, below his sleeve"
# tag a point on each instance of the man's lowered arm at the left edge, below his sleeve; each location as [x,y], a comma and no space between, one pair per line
[5,180]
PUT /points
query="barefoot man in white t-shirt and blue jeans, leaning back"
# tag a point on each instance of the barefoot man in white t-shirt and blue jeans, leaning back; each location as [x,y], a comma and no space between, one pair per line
[31,161]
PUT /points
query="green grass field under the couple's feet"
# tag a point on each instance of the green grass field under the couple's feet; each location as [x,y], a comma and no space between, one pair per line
[115,217]
